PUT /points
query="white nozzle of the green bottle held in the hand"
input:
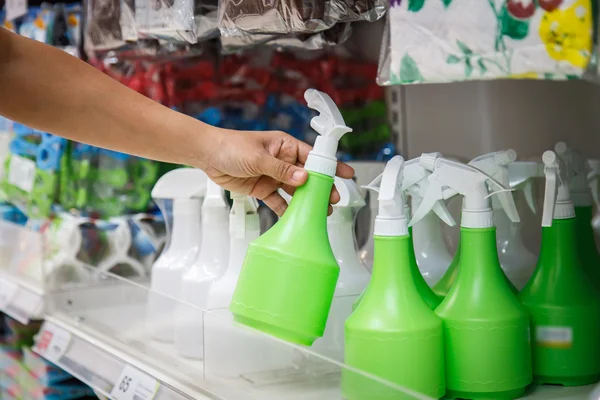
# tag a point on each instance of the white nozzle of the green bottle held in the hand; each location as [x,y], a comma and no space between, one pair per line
[330,125]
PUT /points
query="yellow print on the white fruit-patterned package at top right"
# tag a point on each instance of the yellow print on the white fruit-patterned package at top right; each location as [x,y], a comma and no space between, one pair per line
[567,33]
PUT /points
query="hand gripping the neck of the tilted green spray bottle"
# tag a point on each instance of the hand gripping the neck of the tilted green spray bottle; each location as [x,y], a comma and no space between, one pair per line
[258,163]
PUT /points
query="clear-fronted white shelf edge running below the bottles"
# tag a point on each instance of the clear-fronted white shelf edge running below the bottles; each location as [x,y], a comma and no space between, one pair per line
[109,328]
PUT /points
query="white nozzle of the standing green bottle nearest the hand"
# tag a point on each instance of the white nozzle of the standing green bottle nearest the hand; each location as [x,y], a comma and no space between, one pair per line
[391,218]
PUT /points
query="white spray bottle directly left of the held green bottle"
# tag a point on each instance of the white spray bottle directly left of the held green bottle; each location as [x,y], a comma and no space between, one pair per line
[244,227]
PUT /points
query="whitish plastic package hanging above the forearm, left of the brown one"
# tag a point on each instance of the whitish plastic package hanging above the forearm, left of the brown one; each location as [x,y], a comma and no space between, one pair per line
[171,20]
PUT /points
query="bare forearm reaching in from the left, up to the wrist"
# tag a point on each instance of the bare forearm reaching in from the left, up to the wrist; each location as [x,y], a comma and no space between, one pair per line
[49,90]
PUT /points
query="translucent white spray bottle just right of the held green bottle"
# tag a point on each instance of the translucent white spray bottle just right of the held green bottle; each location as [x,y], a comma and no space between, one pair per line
[354,276]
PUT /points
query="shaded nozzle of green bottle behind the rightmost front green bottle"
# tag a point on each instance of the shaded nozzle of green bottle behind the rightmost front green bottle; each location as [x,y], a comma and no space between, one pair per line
[577,170]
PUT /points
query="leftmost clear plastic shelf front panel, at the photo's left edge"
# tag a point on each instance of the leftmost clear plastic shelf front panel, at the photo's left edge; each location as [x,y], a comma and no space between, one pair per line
[21,275]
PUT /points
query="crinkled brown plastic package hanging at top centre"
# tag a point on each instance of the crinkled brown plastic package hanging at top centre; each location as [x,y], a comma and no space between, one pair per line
[285,17]
